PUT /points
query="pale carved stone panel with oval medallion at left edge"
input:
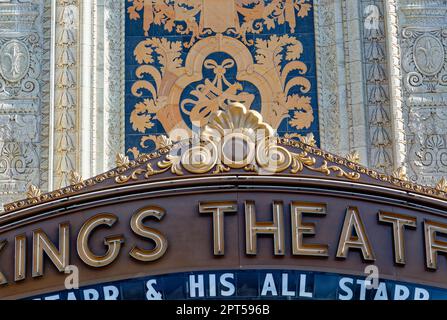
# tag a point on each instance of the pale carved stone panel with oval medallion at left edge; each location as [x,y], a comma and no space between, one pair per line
[21,44]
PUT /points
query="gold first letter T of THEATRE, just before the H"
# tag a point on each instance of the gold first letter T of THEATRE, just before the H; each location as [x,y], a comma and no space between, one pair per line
[218,209]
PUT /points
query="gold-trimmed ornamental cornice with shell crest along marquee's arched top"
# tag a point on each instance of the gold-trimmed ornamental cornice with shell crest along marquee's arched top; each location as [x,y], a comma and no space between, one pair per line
[292,158]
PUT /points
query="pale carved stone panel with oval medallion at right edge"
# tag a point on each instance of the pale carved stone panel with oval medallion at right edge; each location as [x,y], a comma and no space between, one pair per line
[424,83]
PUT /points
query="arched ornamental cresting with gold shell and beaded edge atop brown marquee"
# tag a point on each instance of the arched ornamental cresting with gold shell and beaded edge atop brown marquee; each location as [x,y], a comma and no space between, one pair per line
[212,154]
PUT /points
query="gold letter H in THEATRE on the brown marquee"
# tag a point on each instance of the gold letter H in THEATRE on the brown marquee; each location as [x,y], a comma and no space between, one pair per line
[253,228]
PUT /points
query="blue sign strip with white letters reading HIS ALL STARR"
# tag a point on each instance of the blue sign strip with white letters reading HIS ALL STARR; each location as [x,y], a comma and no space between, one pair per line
[249,285]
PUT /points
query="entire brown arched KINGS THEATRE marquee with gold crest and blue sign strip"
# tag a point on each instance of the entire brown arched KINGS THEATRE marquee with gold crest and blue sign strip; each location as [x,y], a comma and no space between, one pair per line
[278,219]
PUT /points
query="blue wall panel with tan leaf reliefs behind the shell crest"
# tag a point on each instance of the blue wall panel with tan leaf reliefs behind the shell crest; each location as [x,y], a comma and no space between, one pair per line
[187,59]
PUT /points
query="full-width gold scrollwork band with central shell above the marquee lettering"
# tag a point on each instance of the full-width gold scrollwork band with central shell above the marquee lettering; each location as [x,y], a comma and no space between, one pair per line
[248,126]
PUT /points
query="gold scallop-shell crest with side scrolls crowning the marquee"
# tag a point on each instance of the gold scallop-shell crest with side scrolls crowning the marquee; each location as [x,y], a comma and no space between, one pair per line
[238,138]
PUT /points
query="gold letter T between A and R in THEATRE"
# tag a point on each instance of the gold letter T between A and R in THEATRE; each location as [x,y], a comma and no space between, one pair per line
[399,222]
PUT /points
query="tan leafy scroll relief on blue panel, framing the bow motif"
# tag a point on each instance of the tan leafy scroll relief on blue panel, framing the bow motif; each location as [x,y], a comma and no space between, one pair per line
[167,84]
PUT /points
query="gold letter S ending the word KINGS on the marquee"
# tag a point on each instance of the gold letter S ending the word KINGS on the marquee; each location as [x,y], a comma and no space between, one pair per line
[137,225]
